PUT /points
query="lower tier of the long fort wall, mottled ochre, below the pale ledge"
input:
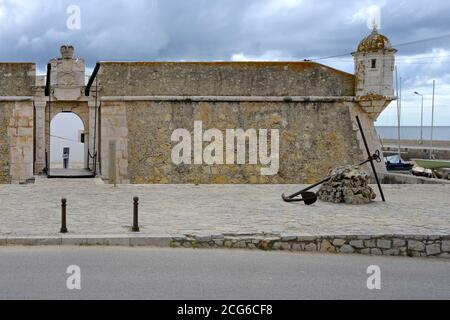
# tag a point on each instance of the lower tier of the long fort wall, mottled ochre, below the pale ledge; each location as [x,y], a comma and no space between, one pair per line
[314,138]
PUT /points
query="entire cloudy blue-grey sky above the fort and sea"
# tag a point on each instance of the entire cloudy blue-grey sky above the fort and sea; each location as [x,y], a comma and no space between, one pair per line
[177,30]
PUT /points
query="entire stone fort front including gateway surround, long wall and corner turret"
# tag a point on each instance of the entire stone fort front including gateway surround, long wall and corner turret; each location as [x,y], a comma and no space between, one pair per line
[136,109]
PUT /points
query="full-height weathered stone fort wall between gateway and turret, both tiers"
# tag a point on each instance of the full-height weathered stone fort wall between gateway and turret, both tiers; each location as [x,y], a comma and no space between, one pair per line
[311,105]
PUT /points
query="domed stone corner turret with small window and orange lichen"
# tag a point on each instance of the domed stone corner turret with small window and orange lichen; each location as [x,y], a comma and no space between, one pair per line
[374,71]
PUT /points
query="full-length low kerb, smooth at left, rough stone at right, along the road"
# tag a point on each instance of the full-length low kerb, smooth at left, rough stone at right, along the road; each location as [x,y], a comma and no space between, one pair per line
[431,246]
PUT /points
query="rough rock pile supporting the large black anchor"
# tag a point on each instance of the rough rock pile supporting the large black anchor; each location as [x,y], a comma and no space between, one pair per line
[349,184]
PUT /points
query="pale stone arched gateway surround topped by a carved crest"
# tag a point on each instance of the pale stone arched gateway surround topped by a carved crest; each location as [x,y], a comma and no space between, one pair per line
[62,90]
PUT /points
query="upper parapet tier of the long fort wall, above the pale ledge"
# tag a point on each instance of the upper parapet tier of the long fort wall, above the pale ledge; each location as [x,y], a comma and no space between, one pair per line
[223,79]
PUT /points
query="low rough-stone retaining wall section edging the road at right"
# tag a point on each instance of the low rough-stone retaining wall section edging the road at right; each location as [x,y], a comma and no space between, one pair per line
[387,245]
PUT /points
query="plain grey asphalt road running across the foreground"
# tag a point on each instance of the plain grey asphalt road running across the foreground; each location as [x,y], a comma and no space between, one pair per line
[143,273]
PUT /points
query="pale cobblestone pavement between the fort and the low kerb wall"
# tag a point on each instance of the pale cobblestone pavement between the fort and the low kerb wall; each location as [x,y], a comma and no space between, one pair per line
[96,208]
